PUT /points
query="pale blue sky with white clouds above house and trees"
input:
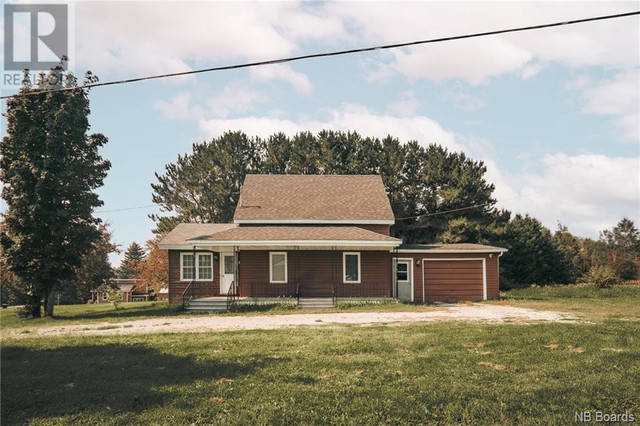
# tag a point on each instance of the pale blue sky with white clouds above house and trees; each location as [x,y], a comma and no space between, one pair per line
[553,113]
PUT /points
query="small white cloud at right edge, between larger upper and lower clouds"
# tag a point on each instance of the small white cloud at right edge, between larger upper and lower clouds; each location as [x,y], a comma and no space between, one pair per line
[618,97]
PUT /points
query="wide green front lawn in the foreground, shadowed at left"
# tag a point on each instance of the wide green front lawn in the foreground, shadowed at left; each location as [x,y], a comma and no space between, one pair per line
[437,373]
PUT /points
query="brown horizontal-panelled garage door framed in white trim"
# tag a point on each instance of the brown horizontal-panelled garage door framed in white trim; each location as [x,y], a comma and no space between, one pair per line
[453,280]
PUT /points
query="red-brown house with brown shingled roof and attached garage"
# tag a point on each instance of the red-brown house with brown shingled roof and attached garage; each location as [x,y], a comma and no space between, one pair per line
[319,237]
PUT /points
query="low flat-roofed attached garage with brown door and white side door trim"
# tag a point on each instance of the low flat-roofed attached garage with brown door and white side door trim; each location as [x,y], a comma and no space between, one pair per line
[453,272]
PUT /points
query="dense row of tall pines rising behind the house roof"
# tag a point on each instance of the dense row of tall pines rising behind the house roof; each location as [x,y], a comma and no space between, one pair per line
[423,184]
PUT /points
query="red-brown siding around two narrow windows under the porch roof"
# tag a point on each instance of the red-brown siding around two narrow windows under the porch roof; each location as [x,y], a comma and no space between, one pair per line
[315,272]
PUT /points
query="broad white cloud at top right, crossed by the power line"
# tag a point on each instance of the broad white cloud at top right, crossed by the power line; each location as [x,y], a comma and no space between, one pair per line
[607,43]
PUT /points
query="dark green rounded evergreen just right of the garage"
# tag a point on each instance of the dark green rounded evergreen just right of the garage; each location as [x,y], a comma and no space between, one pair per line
[533,257]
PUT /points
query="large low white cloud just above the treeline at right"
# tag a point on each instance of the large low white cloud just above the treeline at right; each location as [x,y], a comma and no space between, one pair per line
[588,193]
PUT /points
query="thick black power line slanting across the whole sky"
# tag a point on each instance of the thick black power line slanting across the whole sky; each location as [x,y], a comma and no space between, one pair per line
[328,54]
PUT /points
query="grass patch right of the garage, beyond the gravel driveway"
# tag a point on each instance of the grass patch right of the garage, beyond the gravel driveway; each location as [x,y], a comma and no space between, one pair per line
[618,302]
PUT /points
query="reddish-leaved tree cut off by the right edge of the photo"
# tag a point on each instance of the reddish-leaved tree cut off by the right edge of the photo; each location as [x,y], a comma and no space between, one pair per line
[623,248]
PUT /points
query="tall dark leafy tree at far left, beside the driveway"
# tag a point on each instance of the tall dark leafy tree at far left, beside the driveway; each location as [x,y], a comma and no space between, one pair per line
[50,167]
